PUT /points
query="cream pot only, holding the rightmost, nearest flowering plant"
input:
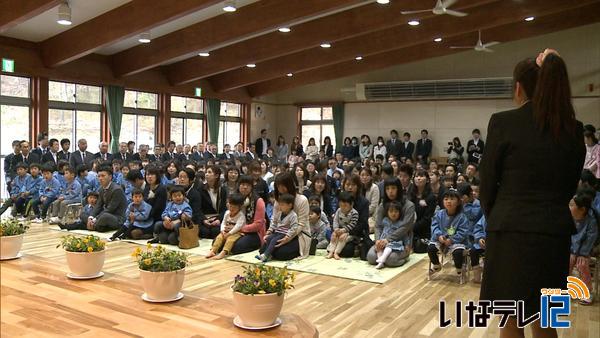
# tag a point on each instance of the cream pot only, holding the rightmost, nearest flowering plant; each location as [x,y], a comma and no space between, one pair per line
[259,310]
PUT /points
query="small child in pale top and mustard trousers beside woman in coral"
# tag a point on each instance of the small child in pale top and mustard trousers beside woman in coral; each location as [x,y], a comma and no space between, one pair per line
[233,217]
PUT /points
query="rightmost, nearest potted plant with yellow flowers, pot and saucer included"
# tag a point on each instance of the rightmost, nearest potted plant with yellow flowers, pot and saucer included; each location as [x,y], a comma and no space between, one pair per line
[258,295]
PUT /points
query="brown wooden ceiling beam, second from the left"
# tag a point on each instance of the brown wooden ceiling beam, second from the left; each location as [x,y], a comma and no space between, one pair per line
[113,26]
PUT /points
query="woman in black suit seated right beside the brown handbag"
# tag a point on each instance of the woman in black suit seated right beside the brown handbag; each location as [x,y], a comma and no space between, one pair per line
[214,198]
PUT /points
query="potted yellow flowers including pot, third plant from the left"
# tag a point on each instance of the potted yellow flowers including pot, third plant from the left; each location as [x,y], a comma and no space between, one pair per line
[161,272]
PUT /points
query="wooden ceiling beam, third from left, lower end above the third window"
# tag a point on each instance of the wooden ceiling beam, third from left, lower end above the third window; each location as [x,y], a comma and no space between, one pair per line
[256,18]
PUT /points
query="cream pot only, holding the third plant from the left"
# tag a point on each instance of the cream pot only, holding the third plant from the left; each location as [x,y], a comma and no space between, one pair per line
[162,286]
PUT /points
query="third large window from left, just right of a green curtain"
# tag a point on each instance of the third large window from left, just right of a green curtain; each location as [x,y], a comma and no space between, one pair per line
[139,118]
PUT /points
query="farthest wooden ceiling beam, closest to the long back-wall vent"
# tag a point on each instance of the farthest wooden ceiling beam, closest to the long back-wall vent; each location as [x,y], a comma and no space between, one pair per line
[542,25]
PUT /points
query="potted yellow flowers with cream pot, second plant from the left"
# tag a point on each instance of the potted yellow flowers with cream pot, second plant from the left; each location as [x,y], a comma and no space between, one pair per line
[85,256]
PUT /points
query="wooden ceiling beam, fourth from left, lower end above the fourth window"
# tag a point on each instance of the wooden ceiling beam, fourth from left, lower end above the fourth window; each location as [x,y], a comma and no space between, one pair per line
[343,25]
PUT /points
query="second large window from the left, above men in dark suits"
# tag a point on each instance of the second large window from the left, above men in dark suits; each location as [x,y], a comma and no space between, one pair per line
[74,113]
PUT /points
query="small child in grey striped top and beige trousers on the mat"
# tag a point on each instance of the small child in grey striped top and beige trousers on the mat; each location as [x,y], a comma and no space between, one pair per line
[344,222]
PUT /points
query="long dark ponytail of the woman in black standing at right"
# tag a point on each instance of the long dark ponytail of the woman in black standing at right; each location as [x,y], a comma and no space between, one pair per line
[552,107]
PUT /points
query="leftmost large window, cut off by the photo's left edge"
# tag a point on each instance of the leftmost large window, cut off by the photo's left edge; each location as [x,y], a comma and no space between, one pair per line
[15,104]
